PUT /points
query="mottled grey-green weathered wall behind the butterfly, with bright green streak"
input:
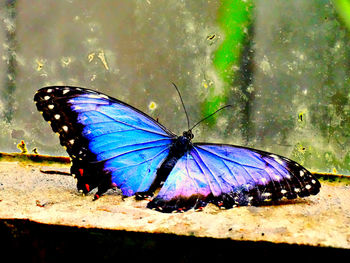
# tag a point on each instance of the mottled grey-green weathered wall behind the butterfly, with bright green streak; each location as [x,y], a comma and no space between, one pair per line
[283,65]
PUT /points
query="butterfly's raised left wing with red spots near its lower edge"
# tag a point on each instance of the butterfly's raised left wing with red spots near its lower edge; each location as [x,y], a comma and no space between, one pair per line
[110,143]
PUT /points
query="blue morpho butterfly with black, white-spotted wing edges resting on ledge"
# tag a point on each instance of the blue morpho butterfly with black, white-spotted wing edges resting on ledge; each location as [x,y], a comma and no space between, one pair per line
[114,144]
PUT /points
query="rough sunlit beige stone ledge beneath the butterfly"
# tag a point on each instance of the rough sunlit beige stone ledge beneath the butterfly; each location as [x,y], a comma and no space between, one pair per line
[322,220]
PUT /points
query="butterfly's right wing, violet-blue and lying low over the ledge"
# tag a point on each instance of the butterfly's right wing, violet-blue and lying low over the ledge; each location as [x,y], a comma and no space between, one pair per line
[230,176]
